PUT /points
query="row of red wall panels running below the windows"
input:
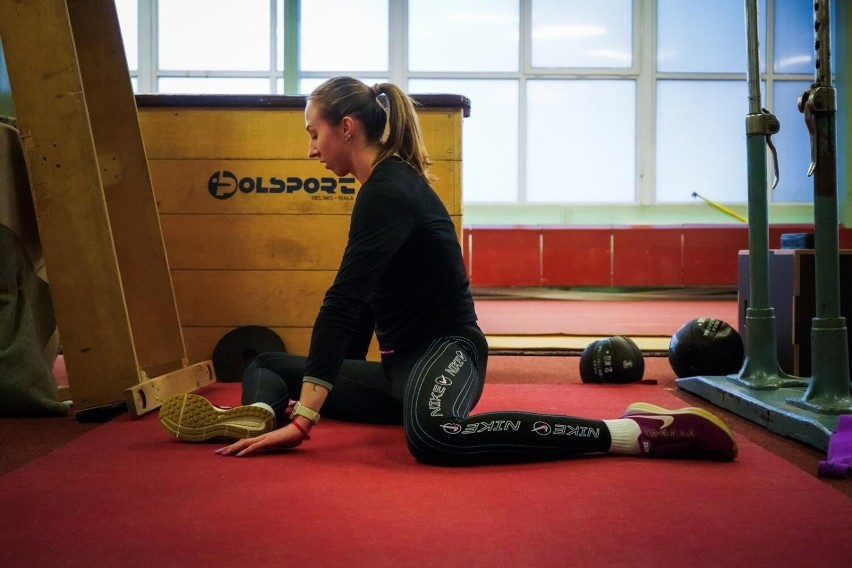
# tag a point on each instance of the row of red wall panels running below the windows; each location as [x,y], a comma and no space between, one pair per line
[635,256]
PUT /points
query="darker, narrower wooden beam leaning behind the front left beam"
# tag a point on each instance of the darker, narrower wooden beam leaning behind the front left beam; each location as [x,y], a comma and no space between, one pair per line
[127,185]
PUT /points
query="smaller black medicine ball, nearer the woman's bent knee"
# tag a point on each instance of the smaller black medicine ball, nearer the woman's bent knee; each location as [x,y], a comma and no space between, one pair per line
[614,359]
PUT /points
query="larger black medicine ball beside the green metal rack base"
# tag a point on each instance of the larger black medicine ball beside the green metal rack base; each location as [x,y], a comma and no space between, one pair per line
[706,346]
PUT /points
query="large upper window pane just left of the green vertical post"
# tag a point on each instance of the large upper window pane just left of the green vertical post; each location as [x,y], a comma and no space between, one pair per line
[201,35]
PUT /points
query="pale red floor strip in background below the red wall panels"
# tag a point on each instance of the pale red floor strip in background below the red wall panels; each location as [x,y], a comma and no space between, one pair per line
[582,317]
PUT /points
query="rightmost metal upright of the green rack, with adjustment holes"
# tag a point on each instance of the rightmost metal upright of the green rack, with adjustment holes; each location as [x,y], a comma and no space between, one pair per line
[829,391]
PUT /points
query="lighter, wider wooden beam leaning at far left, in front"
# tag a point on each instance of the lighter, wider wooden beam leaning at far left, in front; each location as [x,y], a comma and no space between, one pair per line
[73,221]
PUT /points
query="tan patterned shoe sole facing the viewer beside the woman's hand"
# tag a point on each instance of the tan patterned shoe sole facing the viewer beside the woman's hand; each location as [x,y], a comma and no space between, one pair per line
[192,418]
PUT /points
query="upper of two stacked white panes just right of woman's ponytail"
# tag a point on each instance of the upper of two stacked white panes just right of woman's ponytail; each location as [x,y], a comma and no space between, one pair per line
[474,35]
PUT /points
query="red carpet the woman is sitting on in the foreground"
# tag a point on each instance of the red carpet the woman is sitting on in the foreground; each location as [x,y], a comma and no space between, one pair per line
[124,494]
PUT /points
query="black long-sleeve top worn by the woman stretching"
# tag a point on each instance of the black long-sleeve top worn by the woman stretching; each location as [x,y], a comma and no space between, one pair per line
[403,258]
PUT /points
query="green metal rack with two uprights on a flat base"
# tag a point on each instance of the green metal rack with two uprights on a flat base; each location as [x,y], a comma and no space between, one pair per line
[805,409]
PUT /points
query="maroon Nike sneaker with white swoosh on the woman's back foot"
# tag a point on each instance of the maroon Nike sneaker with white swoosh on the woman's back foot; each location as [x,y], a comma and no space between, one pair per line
[685,433]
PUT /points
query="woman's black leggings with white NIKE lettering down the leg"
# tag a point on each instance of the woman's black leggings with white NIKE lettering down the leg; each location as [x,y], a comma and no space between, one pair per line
[431,391]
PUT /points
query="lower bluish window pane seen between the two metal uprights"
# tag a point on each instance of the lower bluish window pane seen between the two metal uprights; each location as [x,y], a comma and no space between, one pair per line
[793,145]
